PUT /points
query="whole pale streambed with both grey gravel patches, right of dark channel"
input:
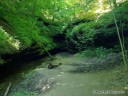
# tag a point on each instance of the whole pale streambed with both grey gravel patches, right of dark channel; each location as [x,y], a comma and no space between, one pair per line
[75,77]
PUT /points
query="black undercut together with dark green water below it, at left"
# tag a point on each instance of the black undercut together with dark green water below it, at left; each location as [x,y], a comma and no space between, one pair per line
[21,64]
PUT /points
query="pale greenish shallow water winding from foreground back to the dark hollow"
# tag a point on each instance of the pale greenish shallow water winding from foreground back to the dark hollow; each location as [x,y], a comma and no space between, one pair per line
[77,84]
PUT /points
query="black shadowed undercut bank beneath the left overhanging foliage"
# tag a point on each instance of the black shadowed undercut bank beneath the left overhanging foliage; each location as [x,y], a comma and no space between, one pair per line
[15,62]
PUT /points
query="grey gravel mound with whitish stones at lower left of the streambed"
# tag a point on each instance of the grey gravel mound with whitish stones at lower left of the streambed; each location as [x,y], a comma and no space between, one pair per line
[37,84]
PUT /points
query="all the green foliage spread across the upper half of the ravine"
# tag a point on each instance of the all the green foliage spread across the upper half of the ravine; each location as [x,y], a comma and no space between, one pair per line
[24,18]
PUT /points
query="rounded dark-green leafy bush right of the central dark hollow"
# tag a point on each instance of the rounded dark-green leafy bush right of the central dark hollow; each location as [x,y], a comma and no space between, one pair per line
[83,34]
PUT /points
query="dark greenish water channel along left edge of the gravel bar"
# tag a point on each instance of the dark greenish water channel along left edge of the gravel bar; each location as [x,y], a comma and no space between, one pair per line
[20,74]
